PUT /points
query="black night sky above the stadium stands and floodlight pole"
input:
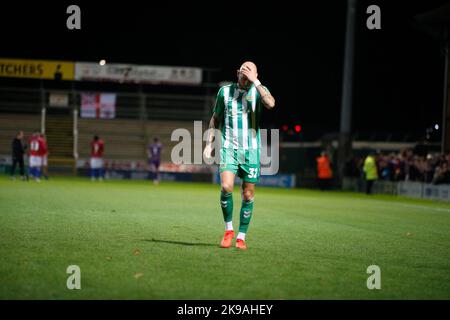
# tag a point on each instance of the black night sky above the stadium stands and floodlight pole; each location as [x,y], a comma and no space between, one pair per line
[297,47]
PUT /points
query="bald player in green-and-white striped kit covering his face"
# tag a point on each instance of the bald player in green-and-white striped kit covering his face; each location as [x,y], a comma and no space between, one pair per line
[237,114]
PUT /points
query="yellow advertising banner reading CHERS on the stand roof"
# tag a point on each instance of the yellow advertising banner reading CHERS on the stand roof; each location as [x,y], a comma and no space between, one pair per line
[37,69]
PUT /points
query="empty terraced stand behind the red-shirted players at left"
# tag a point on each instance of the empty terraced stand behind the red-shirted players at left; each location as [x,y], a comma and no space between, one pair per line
[140,116]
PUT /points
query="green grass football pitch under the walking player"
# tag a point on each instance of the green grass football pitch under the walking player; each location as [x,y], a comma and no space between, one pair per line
[135,240]
